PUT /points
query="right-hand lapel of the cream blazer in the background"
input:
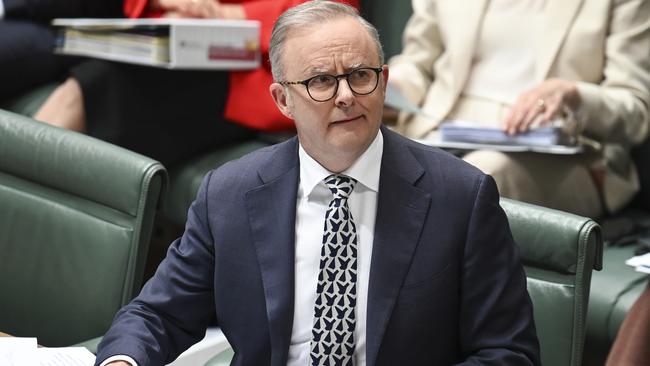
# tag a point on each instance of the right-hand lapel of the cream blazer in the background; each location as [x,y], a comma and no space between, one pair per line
[559,16]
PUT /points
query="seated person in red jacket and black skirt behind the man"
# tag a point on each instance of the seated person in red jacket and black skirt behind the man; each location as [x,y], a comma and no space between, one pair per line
[172,115]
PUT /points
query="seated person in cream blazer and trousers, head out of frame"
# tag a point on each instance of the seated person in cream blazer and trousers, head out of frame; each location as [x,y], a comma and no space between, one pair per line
[518,64]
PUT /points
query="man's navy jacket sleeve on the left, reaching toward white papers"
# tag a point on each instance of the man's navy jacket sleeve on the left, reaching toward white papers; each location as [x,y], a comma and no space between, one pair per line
[174,308]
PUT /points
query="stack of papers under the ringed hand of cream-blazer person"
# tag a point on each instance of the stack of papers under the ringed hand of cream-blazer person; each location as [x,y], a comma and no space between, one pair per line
[472,132]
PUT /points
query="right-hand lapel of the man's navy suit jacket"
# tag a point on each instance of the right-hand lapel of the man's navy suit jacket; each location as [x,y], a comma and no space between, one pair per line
[401,212]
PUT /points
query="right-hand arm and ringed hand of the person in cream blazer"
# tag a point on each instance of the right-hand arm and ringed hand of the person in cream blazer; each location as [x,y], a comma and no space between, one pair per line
[614,106]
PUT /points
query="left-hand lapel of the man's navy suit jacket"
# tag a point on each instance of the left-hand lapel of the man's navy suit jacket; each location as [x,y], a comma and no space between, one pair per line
[272,209]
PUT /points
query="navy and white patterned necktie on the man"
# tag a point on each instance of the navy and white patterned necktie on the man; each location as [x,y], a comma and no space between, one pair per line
[332,340]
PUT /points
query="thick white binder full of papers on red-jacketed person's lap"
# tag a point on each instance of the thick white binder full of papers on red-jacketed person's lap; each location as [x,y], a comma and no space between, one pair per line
[172,43]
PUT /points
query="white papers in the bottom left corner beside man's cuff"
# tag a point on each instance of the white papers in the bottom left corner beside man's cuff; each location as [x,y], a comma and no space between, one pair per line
[15,351]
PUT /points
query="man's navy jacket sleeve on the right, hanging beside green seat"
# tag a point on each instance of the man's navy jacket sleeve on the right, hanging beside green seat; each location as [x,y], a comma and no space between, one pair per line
[496,317]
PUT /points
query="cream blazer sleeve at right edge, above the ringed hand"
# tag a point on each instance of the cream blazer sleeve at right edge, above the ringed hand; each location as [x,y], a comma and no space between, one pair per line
[615,109]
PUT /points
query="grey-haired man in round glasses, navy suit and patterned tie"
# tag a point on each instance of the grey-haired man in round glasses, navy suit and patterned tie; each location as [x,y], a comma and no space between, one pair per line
[348,245]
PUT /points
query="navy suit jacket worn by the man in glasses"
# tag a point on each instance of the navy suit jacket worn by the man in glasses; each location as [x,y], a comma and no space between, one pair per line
[446,283]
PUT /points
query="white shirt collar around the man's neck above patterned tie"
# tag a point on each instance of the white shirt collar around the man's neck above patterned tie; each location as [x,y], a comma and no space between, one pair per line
[365,169]
